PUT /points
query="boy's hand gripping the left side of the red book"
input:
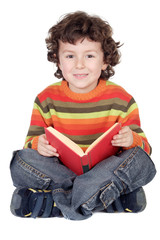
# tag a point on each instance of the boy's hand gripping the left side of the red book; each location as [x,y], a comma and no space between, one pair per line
[45,149]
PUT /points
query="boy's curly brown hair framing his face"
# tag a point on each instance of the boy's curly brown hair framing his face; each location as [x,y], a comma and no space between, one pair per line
[75,26]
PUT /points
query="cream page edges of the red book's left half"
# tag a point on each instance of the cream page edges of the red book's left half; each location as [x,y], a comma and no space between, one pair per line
[67,141]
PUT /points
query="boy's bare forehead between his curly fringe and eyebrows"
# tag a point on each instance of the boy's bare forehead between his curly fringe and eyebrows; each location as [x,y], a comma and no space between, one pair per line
[81,45]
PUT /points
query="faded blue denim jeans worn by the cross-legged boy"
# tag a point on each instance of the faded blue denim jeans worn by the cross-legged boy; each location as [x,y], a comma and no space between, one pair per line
[78,196]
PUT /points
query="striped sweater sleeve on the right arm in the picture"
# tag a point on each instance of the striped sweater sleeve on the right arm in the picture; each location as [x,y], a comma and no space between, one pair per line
[131,118]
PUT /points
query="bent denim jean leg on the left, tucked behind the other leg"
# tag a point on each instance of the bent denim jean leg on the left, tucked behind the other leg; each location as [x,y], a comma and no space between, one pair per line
[30,169]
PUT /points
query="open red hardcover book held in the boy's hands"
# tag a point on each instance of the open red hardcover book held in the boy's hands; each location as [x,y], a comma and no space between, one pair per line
[73,156]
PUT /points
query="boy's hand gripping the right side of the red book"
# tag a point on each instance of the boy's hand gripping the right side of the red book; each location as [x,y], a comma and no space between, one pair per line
[124,138]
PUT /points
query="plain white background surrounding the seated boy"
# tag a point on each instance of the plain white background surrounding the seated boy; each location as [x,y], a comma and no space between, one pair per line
[25,71]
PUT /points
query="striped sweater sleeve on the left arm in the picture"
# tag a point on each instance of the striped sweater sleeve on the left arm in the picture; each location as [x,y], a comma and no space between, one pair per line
[37,125]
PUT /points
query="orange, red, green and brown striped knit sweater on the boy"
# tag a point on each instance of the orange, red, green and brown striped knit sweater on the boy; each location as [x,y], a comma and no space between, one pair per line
[84,117]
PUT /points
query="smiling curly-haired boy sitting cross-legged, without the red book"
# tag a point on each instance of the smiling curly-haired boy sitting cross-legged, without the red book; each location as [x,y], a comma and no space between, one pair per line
[82,106]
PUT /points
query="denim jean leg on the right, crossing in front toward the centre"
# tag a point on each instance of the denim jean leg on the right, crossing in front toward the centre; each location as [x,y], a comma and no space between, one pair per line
[111,178]
